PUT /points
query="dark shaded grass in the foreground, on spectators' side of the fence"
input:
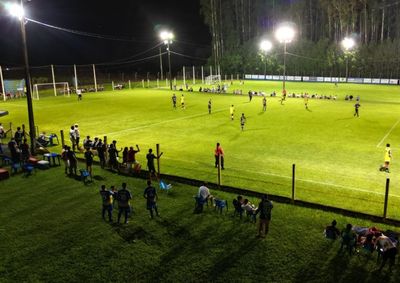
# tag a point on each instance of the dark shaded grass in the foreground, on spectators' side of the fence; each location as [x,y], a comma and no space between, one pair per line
[51,231]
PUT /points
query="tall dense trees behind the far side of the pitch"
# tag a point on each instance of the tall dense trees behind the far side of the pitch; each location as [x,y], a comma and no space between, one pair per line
[237,27]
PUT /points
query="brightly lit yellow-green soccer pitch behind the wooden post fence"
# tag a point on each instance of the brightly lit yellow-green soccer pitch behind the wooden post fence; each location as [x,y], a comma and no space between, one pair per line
[337,155]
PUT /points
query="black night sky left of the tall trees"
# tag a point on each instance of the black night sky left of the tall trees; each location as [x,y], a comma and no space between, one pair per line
[136,20]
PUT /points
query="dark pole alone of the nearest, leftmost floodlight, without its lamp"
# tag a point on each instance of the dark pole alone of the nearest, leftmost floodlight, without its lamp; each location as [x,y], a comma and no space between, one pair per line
[32,132]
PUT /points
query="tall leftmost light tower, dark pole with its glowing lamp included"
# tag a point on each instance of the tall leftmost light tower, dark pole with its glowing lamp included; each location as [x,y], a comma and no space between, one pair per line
[17,10]
